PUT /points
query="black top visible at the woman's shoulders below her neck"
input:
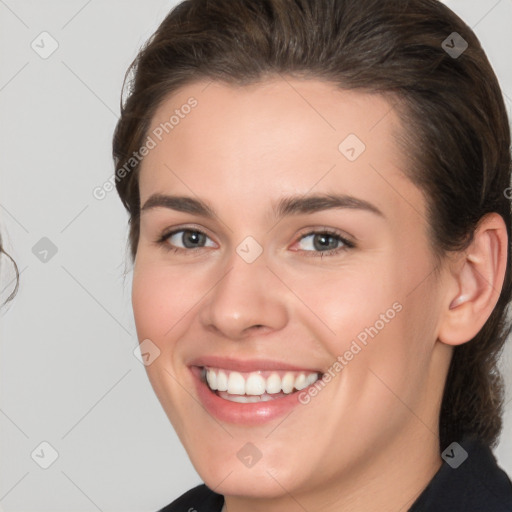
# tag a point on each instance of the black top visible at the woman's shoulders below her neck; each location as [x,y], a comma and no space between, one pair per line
[478,484]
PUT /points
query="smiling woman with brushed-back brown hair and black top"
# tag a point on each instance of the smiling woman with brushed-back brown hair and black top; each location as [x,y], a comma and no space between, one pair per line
[321,246]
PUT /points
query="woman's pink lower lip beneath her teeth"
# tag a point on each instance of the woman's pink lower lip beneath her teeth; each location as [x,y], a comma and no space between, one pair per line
[255,413]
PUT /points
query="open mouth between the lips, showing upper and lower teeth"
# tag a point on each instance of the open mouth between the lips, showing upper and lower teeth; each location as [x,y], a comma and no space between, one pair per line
[256,386]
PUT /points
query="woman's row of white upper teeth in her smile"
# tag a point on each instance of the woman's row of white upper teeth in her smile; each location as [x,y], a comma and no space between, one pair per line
[254,383]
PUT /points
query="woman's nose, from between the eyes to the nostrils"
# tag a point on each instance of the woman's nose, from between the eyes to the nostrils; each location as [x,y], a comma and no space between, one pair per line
[248,299]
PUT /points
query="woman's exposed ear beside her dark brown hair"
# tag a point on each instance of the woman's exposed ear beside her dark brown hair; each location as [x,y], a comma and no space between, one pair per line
[475,281]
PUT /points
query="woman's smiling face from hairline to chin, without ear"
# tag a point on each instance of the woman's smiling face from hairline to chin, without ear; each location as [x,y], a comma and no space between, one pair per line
[279,241]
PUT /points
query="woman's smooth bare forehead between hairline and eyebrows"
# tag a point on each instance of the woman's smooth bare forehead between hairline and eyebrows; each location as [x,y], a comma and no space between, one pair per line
[256,142]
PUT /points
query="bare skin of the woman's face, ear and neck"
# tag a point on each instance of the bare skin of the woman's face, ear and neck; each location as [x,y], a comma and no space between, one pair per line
[369,440]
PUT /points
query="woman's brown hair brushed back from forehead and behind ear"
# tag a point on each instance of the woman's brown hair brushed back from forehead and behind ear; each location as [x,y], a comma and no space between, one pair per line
[456,130]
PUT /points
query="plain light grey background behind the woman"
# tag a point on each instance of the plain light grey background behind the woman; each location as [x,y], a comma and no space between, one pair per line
[68,373]
